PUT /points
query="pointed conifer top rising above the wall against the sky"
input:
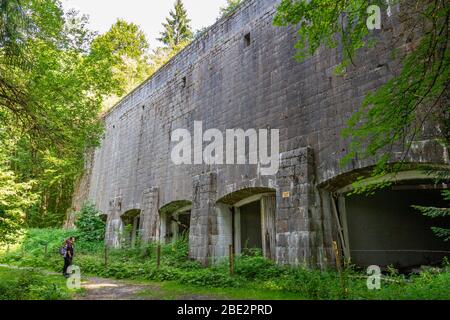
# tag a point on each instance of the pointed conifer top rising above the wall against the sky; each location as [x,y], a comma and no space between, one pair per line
[177,27]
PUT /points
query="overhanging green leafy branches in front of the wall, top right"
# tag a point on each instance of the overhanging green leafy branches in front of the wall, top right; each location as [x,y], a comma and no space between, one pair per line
[395,115]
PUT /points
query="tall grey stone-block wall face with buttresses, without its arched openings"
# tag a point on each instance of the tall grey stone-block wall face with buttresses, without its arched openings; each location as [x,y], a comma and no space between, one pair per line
[221,80]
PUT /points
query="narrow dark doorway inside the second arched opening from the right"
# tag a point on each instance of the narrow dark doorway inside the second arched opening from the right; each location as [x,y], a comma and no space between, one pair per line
[250,215]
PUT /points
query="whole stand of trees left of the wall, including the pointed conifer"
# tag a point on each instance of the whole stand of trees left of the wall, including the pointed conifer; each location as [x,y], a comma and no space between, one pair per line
[56,78]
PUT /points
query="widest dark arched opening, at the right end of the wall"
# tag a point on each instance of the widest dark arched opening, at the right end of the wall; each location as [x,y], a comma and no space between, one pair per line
[384,229]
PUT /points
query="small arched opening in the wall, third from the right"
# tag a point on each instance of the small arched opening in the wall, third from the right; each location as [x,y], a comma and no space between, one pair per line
[175,220]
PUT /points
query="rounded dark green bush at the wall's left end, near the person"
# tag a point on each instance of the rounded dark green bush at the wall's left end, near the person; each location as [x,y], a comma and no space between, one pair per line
[89,224]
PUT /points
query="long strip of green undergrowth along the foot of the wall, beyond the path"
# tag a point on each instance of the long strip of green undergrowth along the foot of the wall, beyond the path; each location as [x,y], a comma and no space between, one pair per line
[252,272]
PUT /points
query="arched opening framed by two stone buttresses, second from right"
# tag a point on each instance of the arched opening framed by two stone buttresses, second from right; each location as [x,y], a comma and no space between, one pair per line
[252,221]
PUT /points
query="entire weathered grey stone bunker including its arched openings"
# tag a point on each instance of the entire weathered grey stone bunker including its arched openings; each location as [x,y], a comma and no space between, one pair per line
[242,74]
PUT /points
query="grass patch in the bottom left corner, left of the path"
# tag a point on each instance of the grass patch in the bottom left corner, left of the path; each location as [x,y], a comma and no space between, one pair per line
[32,285]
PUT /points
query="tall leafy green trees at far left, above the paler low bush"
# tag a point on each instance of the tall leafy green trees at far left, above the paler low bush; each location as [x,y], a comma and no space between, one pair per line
[49,103]
